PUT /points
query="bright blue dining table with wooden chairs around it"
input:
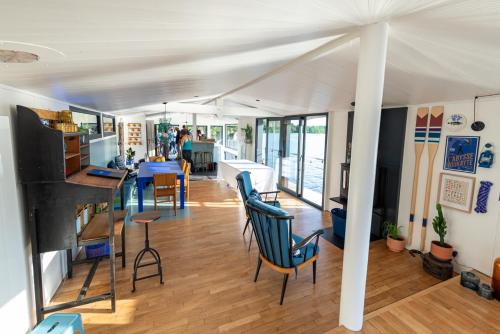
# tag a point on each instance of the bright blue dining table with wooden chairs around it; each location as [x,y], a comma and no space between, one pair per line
[148,169]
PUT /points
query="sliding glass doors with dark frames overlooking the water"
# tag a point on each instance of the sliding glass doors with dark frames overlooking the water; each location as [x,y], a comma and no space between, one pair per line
[295,147]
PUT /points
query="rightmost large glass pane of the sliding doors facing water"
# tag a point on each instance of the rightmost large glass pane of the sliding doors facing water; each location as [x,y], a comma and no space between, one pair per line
[314,158]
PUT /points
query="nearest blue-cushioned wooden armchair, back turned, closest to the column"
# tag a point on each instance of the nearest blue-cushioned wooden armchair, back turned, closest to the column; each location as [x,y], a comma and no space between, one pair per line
[279,248]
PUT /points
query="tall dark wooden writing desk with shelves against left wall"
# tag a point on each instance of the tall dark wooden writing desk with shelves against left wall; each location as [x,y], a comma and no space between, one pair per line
[56,188]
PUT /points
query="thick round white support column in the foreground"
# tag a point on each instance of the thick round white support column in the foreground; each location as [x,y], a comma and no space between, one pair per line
[369,90]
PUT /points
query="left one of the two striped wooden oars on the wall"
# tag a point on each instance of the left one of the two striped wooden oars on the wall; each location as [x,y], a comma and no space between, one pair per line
[420,135]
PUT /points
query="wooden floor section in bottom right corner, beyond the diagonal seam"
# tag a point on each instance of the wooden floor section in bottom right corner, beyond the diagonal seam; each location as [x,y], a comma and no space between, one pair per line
[444,308]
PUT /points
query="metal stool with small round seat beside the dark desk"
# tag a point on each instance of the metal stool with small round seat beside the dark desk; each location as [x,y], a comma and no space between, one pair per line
[146,218]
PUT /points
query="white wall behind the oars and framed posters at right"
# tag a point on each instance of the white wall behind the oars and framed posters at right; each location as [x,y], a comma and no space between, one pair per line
[472,235]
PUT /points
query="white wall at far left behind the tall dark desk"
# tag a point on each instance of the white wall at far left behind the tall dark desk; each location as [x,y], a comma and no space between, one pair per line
[16,283]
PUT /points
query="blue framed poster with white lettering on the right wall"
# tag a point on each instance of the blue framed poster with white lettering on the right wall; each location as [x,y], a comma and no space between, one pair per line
[461,153]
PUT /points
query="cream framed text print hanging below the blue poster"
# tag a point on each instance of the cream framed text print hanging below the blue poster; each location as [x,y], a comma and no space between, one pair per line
[456,191]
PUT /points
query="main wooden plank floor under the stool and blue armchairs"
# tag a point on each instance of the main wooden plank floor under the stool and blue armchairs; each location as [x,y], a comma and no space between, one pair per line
[209,284]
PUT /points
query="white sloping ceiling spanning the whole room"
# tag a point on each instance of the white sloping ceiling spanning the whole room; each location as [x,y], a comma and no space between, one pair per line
[129,56]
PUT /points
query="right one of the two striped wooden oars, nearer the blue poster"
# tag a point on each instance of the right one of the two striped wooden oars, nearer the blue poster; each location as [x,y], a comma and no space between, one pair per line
[435,125]
